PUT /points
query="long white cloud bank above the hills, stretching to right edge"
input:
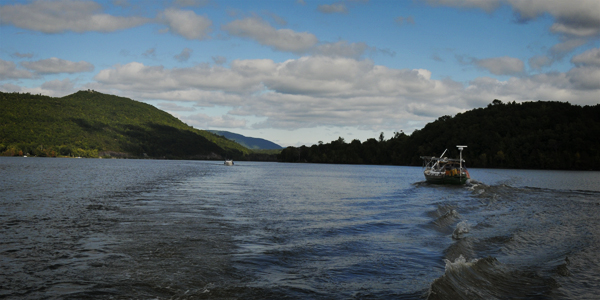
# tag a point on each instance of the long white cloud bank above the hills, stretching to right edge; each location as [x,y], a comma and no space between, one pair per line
[339,91]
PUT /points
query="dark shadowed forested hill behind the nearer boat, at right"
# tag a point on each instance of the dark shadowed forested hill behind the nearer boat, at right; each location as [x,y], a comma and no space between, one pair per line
[529,135]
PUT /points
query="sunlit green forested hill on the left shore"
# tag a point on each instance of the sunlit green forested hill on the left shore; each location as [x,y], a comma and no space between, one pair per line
[92,124]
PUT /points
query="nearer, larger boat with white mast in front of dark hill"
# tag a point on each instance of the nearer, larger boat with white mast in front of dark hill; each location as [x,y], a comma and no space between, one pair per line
[445,170]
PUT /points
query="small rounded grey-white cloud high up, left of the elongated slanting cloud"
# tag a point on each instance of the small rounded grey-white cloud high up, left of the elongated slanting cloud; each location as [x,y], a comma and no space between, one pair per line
[186,23]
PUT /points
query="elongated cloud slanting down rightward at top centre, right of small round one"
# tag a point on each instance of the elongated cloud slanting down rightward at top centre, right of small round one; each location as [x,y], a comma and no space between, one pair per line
[280,39]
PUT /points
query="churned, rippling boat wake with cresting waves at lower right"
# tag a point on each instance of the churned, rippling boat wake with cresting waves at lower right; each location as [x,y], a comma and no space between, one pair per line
[518,242]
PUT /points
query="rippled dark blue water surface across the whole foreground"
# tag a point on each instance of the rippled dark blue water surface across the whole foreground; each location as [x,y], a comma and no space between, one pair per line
[151,229]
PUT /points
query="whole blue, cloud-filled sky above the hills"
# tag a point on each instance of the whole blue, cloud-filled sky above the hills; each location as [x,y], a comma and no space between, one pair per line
[297,72]
